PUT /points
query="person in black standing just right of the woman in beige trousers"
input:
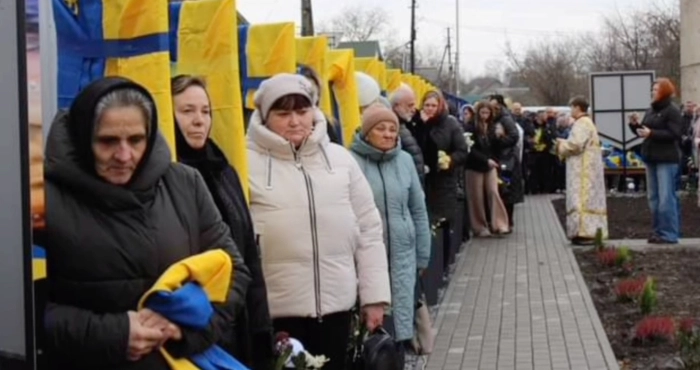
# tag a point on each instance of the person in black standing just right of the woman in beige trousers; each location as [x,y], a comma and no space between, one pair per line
[505,144]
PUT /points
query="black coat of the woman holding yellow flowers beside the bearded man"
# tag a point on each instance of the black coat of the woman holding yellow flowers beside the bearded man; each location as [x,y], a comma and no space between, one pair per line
[442,186]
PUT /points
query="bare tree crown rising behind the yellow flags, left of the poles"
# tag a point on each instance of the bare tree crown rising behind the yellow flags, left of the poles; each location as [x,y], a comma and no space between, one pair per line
[357,23]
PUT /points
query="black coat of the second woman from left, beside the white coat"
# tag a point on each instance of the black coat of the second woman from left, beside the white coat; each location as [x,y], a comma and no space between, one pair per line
[251,340]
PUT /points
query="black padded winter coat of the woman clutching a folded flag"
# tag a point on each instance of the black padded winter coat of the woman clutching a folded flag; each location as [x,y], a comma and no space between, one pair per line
[107,245]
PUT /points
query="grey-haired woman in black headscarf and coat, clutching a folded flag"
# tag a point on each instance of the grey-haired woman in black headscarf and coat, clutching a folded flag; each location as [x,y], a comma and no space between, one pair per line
[119,213]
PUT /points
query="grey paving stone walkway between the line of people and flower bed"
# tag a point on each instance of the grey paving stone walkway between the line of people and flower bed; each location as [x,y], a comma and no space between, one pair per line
[520,302]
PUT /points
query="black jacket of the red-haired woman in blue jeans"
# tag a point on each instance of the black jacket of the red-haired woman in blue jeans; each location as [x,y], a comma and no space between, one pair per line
[665,122]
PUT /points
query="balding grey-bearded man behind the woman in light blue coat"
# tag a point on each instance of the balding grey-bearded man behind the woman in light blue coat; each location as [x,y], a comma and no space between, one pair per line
[403,102]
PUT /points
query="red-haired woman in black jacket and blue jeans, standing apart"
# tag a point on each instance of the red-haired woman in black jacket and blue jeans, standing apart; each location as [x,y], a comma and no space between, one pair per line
[661,129]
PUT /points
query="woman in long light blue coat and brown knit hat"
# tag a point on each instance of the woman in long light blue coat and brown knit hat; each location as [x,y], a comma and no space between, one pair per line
[399,197]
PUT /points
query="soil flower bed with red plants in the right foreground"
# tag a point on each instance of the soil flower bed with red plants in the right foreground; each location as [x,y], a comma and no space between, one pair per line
[649,303]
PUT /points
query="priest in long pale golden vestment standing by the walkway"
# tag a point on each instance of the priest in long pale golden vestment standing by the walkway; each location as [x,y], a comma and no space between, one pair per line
[586,209]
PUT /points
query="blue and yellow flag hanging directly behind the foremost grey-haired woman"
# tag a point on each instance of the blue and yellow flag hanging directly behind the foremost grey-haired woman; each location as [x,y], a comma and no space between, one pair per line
[128,38]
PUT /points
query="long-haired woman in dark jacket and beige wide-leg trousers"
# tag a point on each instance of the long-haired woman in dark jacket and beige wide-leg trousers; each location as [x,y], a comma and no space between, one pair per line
[482,175]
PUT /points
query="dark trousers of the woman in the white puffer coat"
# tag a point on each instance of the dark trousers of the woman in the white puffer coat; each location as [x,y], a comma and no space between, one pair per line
[328,337]
